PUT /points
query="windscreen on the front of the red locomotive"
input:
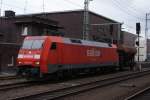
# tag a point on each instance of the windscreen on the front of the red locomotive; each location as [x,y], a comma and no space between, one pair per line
[32,44]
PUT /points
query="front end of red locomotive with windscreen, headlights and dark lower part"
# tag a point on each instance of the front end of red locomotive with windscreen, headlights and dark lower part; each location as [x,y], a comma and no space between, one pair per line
[29,57]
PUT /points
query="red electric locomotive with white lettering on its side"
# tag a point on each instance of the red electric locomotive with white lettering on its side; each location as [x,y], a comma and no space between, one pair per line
[42,55]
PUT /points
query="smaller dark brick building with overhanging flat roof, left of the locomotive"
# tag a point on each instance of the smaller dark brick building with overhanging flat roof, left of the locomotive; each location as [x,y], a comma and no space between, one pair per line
[13,29]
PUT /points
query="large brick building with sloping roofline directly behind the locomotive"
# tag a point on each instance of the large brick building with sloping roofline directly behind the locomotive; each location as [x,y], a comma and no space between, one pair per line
[72,21]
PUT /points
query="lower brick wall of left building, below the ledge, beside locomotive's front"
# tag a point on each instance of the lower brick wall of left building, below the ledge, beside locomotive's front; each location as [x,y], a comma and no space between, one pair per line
[8,55]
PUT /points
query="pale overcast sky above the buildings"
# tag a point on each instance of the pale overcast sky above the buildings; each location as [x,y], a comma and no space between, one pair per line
[127,11]
